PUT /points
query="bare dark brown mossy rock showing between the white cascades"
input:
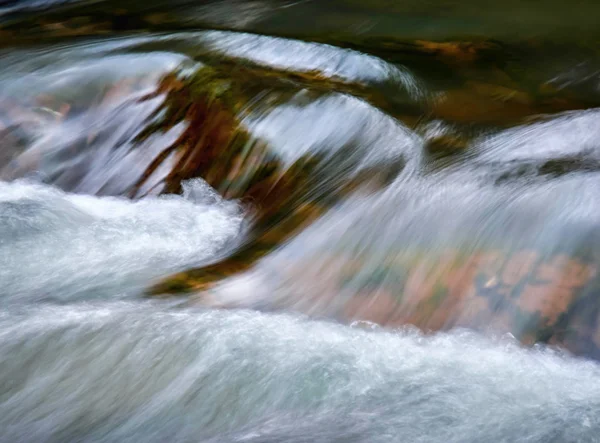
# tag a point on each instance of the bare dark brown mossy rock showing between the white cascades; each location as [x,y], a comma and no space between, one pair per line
[281,198]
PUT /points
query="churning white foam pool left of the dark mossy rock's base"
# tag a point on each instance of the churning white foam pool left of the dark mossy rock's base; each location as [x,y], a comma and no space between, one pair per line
[56,244]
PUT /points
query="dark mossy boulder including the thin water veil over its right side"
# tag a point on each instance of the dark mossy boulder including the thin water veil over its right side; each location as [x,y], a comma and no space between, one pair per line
[282,189]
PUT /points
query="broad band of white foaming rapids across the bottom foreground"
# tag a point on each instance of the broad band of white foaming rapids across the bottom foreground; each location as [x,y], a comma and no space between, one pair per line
[135,372]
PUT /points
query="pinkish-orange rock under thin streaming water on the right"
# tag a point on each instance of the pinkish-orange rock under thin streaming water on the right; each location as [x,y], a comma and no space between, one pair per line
[534,297]
